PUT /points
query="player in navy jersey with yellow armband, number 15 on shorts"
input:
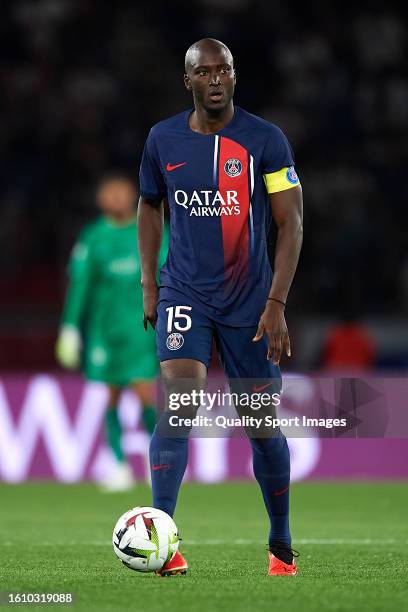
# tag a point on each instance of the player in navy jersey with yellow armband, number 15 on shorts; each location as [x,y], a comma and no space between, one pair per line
[224,172]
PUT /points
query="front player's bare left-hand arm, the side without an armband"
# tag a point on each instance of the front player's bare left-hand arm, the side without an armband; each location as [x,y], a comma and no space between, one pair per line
[150,230]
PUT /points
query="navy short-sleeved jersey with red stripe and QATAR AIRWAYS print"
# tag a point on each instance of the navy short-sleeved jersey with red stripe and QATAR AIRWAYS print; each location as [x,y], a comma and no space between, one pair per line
[217,188]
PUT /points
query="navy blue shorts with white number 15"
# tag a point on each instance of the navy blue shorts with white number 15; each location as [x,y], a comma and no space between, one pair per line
[184,332]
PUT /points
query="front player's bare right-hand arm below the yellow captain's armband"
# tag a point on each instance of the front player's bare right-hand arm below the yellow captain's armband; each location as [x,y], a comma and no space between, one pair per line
[287,211]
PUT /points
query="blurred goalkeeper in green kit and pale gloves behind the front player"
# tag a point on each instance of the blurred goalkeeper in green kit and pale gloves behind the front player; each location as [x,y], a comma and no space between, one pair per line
[103,307]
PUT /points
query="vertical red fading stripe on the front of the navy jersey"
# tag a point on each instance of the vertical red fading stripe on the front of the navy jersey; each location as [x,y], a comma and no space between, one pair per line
[235,234]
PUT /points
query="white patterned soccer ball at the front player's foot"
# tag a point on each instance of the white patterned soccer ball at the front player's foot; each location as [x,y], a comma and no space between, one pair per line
[144,539]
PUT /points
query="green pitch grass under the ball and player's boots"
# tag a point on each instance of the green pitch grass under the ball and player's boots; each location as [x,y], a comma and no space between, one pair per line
[56,538]
